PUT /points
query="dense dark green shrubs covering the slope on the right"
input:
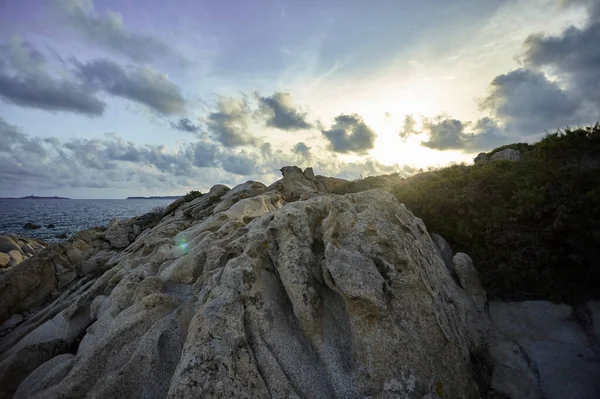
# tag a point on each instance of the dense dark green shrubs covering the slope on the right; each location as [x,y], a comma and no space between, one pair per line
[531,227]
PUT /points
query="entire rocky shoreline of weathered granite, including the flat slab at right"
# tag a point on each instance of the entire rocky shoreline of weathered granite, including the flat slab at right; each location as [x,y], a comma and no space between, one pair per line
[280,291]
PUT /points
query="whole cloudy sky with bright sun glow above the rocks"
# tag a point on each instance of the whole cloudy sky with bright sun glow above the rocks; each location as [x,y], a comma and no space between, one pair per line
[115,98]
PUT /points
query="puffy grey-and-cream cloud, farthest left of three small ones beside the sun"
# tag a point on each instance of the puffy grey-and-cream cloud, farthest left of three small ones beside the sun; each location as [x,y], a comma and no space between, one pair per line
[229,125]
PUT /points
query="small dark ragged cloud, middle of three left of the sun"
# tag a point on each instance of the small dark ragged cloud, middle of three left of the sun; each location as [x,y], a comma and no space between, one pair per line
[281,113]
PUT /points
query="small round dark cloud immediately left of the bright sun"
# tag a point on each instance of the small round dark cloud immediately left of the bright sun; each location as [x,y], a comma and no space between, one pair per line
[349,134]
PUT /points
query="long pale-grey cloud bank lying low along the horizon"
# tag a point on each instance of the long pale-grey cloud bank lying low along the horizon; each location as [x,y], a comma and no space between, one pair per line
[109,162]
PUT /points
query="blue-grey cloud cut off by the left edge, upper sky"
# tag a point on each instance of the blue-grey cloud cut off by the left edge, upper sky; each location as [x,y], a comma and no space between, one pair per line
[25,80]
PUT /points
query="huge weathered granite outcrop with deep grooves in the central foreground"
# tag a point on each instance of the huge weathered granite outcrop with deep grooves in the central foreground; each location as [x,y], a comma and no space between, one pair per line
[240,294]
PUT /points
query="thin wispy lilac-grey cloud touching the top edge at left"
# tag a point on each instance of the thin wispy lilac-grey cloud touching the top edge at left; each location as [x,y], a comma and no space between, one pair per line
[109,31]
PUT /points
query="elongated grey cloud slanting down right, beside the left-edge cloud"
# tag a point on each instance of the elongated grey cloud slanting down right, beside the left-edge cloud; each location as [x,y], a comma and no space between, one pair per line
[141,84]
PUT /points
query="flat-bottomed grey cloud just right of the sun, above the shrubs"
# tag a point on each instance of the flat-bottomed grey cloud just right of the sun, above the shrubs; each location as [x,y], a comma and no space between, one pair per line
[452,134]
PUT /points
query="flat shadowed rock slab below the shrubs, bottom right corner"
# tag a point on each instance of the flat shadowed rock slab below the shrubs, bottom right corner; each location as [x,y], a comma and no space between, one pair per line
[543,350]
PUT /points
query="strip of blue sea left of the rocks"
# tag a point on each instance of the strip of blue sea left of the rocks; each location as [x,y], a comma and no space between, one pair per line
[68,216]
